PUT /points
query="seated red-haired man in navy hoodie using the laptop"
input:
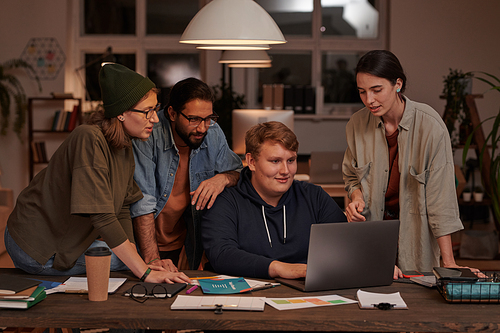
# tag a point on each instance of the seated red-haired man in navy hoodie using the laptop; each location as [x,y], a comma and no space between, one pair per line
[260,228]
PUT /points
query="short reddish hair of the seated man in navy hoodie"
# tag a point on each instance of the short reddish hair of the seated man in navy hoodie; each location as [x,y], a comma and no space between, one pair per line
[270,131]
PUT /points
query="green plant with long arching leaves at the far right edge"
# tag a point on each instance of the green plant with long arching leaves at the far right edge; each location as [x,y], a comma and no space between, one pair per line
[493,141]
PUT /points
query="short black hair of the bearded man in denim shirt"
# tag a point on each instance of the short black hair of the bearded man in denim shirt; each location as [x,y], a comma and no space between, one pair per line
[187,90]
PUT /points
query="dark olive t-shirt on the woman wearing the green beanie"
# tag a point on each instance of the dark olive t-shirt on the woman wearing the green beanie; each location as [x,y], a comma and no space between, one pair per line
[84,176]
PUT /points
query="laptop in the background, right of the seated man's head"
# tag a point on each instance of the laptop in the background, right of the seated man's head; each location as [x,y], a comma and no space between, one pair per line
[326,167]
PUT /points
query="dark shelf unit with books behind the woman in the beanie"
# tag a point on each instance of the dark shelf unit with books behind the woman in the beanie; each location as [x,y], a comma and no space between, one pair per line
[32,131]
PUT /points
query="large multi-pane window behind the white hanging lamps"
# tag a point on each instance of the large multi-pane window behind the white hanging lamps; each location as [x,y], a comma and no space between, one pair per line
[324,44]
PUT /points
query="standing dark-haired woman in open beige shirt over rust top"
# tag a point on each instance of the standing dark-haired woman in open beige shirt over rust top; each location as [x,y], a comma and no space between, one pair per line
[399,165]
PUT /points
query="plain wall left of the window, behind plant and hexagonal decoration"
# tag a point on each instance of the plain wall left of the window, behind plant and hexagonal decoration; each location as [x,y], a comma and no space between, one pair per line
[20,21]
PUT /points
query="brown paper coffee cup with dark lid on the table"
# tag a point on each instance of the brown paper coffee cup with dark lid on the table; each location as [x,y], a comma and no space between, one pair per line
[98,260]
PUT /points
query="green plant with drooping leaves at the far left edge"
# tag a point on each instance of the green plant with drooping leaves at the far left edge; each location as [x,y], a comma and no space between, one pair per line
[12,90]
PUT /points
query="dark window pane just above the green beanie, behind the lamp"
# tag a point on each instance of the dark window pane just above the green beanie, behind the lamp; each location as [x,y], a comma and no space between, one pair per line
[93,62]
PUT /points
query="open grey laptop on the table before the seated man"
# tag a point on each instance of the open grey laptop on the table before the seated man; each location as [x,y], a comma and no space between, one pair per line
[349,255]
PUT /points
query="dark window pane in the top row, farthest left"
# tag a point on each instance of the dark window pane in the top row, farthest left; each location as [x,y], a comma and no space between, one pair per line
[110,17]
